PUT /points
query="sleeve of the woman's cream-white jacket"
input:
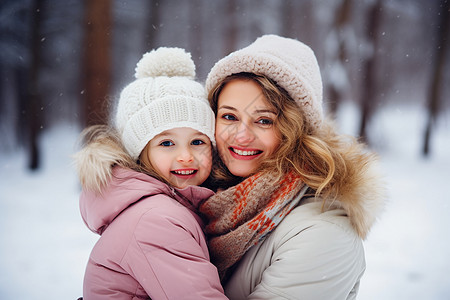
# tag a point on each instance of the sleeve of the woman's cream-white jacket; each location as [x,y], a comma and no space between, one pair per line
[322,261]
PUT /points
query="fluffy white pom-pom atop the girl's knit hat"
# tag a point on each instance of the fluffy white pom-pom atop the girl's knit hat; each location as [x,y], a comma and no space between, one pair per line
[165,61]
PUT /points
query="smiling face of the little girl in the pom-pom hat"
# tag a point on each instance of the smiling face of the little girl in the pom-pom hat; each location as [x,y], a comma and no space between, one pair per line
[183,156]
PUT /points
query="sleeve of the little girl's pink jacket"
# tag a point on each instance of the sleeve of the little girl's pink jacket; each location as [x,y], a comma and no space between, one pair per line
[168,260]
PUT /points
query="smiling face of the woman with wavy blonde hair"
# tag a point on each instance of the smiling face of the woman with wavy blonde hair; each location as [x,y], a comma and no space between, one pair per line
[245,131]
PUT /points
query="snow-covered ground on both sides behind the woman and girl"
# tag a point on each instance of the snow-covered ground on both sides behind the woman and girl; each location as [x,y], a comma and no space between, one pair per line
[44,244]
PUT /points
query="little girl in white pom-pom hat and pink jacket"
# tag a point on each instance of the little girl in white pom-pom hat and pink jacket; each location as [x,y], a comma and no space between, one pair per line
[140,187]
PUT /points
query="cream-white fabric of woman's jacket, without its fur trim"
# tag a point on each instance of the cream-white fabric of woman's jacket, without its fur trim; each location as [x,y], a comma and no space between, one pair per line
[310,255]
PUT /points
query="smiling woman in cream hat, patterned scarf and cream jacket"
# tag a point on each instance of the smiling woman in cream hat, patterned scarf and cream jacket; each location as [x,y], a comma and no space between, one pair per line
[303,198]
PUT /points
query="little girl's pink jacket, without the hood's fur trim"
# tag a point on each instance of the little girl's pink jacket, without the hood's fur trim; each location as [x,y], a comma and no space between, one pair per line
[151,244]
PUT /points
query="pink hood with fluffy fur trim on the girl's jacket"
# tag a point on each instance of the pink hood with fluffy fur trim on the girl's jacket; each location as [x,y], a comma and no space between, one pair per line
[108,188]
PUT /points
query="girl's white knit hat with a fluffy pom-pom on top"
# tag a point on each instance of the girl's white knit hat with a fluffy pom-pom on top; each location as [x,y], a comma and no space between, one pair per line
[164,96]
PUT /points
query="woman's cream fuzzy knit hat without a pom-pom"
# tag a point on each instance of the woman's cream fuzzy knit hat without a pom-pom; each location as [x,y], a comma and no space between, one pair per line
[289,62]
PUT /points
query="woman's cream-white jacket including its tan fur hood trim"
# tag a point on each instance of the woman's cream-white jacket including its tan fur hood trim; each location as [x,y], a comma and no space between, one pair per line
[313,254]
